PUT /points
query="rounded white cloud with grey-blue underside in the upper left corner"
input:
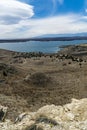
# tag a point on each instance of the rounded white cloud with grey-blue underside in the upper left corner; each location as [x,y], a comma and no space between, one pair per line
[12,11]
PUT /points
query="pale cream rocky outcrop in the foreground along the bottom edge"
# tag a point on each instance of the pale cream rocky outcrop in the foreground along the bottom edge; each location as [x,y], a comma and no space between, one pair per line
[71,116]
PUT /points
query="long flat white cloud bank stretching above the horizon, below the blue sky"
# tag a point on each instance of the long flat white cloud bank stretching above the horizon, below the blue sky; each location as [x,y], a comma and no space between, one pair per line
[54,25]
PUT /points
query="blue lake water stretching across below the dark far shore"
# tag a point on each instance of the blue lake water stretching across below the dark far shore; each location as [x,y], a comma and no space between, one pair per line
[37,46]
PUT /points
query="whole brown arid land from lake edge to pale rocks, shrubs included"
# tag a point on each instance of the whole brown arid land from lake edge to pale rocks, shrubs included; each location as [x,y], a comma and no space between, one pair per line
[29,81]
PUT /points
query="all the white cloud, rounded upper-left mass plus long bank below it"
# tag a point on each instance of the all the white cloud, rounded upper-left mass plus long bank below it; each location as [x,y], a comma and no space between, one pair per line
[16,22]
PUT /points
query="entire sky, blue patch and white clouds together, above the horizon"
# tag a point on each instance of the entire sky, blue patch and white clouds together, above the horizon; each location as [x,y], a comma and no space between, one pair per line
[38,18]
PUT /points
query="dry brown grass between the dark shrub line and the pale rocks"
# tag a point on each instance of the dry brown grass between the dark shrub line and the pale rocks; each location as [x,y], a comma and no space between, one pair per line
[67,81]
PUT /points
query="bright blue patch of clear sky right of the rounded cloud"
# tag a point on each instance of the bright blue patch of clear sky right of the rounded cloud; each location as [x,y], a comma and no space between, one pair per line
[43,8]
